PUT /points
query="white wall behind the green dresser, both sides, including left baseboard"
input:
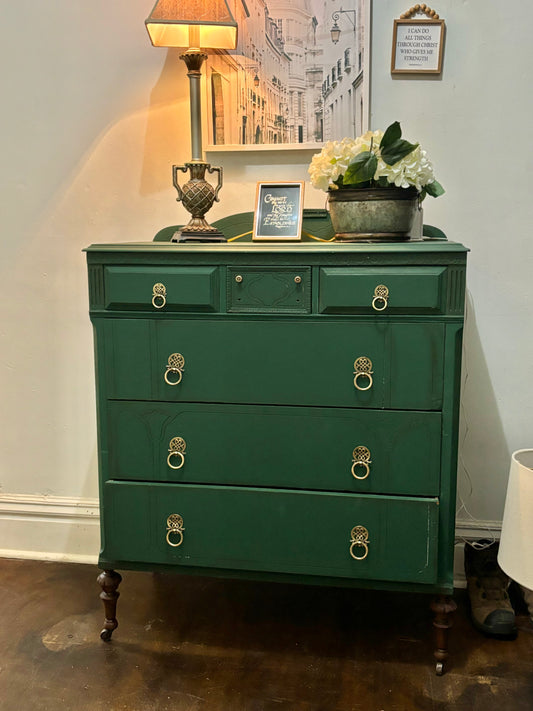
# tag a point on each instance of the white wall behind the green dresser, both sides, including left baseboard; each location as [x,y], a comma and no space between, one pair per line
[93,118]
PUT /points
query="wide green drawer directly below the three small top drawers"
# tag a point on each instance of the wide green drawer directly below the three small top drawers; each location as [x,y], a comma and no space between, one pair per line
[285,362]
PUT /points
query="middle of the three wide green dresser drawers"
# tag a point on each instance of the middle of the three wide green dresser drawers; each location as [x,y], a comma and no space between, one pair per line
[394,452]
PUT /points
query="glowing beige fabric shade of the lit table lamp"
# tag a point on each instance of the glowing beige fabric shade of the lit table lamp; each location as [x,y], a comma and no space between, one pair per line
[203,24]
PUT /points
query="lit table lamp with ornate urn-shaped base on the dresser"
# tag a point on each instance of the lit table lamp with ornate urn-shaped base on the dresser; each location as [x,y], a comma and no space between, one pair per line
[196,25]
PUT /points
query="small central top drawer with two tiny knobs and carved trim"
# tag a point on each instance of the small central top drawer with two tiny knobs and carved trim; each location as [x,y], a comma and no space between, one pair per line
[269,290]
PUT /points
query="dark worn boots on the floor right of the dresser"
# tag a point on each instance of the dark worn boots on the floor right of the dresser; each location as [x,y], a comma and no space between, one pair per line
[487,584]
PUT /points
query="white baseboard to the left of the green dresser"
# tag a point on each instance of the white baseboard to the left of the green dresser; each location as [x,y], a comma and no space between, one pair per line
[55,528]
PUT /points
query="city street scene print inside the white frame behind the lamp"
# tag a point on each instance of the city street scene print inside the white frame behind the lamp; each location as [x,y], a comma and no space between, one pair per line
[287,82]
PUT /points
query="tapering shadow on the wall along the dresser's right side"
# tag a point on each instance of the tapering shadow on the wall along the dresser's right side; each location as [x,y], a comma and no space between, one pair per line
[484,453]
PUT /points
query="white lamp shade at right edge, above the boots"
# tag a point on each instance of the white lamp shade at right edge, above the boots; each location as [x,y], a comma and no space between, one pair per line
[515,554]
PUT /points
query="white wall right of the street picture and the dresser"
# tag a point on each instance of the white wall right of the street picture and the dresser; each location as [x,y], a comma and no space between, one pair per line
[475,123]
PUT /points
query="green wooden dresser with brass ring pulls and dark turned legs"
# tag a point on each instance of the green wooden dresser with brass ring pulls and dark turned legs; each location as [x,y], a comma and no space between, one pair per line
[280,412]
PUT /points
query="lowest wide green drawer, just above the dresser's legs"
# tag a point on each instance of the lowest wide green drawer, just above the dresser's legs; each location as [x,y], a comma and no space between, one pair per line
[284,531]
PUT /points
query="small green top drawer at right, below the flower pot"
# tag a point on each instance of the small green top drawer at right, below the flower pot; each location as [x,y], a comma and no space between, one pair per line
[384,289]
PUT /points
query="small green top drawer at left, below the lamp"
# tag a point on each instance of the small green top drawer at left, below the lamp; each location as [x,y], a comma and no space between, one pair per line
[159,289]
